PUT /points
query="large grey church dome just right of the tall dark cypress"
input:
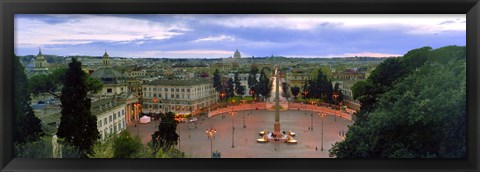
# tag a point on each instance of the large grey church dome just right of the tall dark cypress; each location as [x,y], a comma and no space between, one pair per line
[108,75]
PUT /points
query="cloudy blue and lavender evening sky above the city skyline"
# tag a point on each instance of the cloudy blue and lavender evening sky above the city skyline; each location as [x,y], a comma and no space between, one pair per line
[219,35]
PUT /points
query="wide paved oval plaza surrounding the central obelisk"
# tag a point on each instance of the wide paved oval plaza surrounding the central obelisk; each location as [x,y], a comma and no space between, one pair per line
[196,144]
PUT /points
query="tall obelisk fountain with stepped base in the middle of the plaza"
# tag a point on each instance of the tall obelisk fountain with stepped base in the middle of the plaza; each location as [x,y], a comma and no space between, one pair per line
[276,135]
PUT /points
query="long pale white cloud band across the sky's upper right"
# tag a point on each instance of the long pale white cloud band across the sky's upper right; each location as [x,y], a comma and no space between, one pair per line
[413,24]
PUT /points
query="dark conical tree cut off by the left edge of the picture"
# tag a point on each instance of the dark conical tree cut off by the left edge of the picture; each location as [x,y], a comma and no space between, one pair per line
[27,125]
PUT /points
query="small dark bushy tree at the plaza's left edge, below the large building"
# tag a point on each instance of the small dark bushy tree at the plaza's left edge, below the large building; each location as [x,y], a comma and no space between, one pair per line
[166,135]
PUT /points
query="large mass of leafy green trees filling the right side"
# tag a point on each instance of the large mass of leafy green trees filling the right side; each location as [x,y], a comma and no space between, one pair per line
[421,115]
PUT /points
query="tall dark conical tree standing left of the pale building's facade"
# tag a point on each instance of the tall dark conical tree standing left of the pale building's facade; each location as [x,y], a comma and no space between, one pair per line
[78,127]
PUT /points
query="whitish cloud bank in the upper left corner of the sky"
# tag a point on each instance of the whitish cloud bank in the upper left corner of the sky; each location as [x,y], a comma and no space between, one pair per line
[91,28]
